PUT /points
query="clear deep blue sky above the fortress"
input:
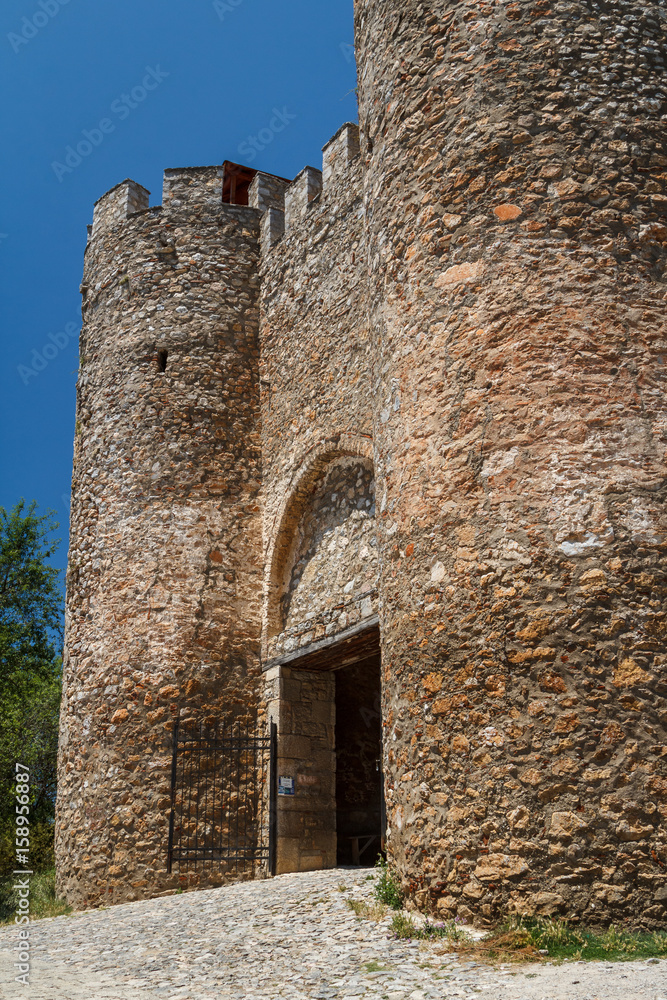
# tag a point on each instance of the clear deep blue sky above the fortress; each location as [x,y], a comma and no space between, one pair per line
[219,71]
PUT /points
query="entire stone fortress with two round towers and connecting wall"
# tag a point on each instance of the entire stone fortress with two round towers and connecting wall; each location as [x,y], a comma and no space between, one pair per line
[379,453]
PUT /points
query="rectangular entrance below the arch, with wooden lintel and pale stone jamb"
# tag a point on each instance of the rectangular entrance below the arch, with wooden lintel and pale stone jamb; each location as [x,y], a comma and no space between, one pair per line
[325,698]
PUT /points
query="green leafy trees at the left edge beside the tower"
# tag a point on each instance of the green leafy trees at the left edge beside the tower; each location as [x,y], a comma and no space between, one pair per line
[30,673]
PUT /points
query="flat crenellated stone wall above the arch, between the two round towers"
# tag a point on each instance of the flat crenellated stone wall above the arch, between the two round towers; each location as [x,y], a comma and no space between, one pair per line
[314,359]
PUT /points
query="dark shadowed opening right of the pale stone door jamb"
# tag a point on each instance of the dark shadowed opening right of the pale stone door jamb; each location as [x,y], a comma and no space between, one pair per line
[359,793]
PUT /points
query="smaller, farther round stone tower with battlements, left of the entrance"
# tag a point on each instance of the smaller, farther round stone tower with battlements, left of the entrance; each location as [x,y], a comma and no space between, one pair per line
[164,574]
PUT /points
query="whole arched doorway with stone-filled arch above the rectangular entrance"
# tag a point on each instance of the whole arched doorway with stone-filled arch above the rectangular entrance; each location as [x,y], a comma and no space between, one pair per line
[323,672]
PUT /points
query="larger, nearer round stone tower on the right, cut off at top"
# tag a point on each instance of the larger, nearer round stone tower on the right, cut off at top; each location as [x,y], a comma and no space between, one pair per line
[516,209]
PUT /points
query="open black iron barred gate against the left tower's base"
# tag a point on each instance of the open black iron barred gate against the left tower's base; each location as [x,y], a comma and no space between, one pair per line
[223,805]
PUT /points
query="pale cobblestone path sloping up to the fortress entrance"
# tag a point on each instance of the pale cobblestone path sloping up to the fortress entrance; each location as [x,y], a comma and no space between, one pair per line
[294,937]
